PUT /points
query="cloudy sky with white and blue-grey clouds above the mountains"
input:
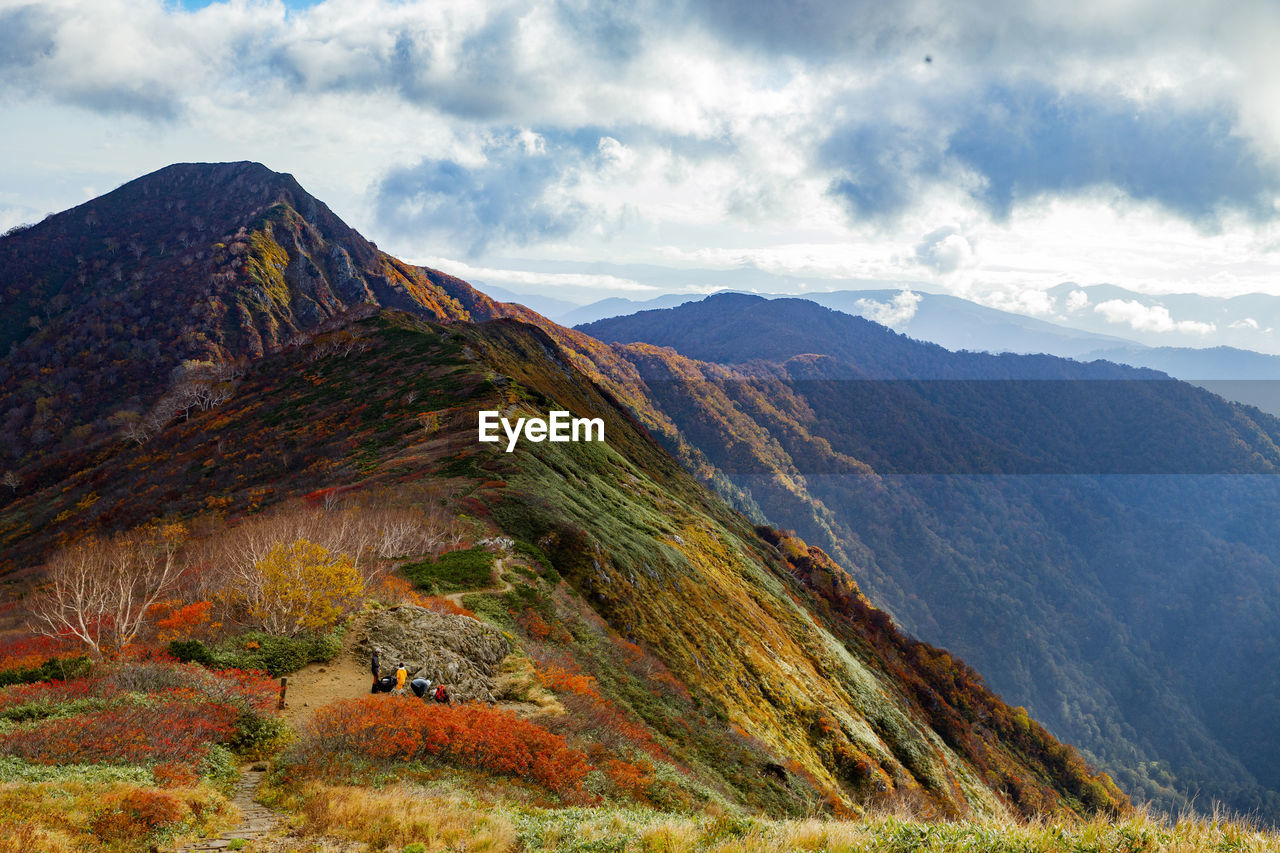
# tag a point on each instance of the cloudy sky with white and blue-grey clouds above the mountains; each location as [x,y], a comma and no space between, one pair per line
[990,149]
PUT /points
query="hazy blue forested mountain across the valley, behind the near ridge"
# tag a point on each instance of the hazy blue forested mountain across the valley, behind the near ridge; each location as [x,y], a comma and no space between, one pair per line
[1099,540]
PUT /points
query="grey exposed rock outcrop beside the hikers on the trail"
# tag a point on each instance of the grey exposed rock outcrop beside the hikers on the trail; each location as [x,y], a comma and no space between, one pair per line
[461,653]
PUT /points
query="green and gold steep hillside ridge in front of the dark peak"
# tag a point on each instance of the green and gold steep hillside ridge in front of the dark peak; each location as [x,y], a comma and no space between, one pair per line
[784,686]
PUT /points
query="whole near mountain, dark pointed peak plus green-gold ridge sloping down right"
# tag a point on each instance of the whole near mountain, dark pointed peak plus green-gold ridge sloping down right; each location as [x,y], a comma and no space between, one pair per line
[743,664]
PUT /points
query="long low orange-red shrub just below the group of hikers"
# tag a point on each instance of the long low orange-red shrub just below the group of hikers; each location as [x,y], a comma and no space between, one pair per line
[473,736]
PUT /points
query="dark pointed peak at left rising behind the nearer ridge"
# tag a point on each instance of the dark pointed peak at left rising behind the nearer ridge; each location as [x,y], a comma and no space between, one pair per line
[205,263]
